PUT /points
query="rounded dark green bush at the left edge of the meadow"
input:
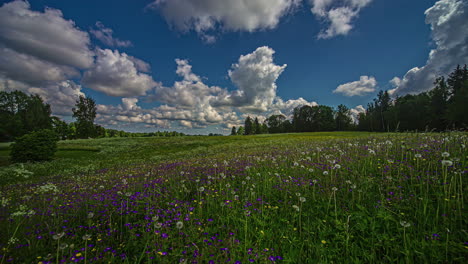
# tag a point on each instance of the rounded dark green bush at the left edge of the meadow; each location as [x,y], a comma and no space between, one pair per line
[40,145]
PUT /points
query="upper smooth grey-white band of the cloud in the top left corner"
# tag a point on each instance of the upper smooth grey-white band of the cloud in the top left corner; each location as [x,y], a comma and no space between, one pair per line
[46,36]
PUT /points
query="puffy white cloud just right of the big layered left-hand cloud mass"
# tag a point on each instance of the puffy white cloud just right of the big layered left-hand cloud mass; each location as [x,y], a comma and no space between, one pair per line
[116,74]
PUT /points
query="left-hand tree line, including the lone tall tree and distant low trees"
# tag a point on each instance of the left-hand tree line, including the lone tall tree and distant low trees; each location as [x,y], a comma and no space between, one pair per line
[21,114]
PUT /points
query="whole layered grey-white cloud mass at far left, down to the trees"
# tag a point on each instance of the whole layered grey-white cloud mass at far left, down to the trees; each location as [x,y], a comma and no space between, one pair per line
[40,52]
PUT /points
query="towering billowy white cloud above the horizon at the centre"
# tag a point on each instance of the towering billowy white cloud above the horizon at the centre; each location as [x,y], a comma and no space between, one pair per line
[195,104]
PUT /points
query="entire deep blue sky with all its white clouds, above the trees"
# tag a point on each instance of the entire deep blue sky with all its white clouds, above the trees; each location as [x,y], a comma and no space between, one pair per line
[324,51]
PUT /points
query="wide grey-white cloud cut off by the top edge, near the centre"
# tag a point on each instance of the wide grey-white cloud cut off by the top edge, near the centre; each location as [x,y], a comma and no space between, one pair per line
[204,16]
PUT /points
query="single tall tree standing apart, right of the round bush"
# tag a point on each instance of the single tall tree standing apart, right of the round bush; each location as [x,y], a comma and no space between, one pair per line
[85,113]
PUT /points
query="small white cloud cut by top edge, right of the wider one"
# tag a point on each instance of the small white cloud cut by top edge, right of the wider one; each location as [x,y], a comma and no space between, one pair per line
[337,14]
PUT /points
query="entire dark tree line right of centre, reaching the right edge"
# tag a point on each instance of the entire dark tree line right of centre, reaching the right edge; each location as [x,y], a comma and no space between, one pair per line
[445,107]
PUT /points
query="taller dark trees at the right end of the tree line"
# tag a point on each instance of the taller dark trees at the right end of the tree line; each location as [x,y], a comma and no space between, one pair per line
[442,108]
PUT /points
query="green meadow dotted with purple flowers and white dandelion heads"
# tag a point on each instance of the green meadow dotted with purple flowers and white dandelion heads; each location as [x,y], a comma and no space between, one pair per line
[296,198]
